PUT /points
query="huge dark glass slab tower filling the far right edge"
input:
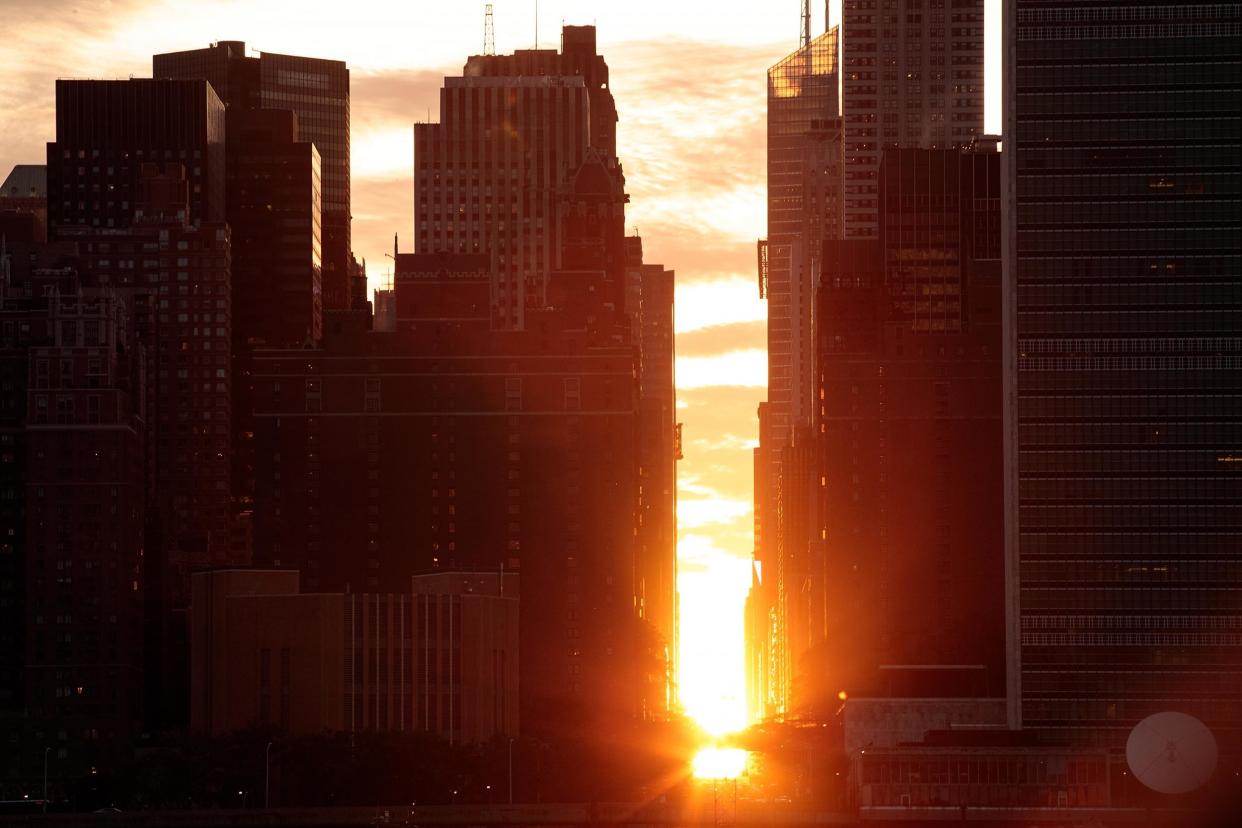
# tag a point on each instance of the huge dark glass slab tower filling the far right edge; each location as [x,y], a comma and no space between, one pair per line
[1123,272]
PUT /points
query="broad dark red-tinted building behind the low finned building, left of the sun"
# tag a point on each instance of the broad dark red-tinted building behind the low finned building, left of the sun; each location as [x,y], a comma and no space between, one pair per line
[448,446]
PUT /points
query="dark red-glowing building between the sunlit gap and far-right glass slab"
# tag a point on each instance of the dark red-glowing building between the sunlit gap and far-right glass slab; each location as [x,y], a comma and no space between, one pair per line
[910,572]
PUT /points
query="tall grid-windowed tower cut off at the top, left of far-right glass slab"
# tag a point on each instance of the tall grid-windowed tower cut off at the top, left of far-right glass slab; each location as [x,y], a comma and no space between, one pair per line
[912,76]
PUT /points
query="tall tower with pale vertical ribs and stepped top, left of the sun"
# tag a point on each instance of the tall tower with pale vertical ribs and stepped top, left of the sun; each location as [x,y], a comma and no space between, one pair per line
[492,176]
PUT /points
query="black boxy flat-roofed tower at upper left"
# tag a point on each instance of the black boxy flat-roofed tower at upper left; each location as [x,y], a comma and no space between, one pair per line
[107,130]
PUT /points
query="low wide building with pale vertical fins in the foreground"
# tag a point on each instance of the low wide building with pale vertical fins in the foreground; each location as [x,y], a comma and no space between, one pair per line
[440,656]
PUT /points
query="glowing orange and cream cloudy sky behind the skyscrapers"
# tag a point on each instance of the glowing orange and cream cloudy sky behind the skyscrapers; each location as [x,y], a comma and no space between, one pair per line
[690,85]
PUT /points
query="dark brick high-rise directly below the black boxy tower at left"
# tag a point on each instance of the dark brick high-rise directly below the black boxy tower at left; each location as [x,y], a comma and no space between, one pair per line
[173,274]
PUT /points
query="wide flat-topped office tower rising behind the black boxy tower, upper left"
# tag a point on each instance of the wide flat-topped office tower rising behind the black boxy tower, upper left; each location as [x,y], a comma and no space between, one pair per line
[319,92]
